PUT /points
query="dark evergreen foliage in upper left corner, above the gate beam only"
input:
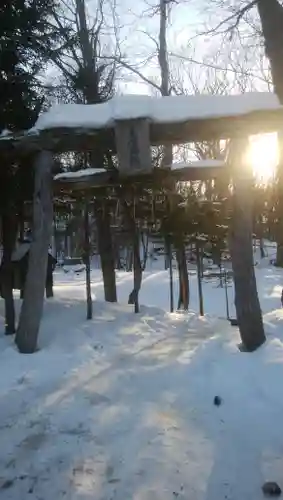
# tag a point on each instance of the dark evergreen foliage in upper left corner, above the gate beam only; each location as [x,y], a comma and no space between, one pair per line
[26,40]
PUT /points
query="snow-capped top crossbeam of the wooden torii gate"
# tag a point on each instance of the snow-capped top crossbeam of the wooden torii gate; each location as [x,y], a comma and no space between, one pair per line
[156,120]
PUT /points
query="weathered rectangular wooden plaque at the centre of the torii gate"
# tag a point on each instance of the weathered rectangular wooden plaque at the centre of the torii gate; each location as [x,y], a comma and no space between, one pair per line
[133,146]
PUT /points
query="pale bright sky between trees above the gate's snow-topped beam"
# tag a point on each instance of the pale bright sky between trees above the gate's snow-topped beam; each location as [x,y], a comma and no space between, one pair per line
[138,29]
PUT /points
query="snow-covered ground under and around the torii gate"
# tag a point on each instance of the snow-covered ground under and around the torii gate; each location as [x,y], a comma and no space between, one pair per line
[121,407]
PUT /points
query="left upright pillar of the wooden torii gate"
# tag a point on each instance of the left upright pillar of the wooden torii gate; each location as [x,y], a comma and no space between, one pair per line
[32,307]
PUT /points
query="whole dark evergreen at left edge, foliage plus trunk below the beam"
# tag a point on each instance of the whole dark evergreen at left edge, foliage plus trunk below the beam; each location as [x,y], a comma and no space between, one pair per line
[25,37]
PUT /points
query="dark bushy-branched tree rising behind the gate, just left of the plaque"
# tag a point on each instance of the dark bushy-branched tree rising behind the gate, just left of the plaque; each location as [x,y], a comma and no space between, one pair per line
[89,74]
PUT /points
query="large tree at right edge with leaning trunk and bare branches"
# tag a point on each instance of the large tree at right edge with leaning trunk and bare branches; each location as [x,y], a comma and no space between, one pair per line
[258,26]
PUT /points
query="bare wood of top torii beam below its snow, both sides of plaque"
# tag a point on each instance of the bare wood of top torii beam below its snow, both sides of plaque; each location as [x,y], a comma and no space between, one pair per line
[196,130]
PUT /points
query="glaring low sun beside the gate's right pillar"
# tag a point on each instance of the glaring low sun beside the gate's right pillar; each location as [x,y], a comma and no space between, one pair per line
[263,156]
